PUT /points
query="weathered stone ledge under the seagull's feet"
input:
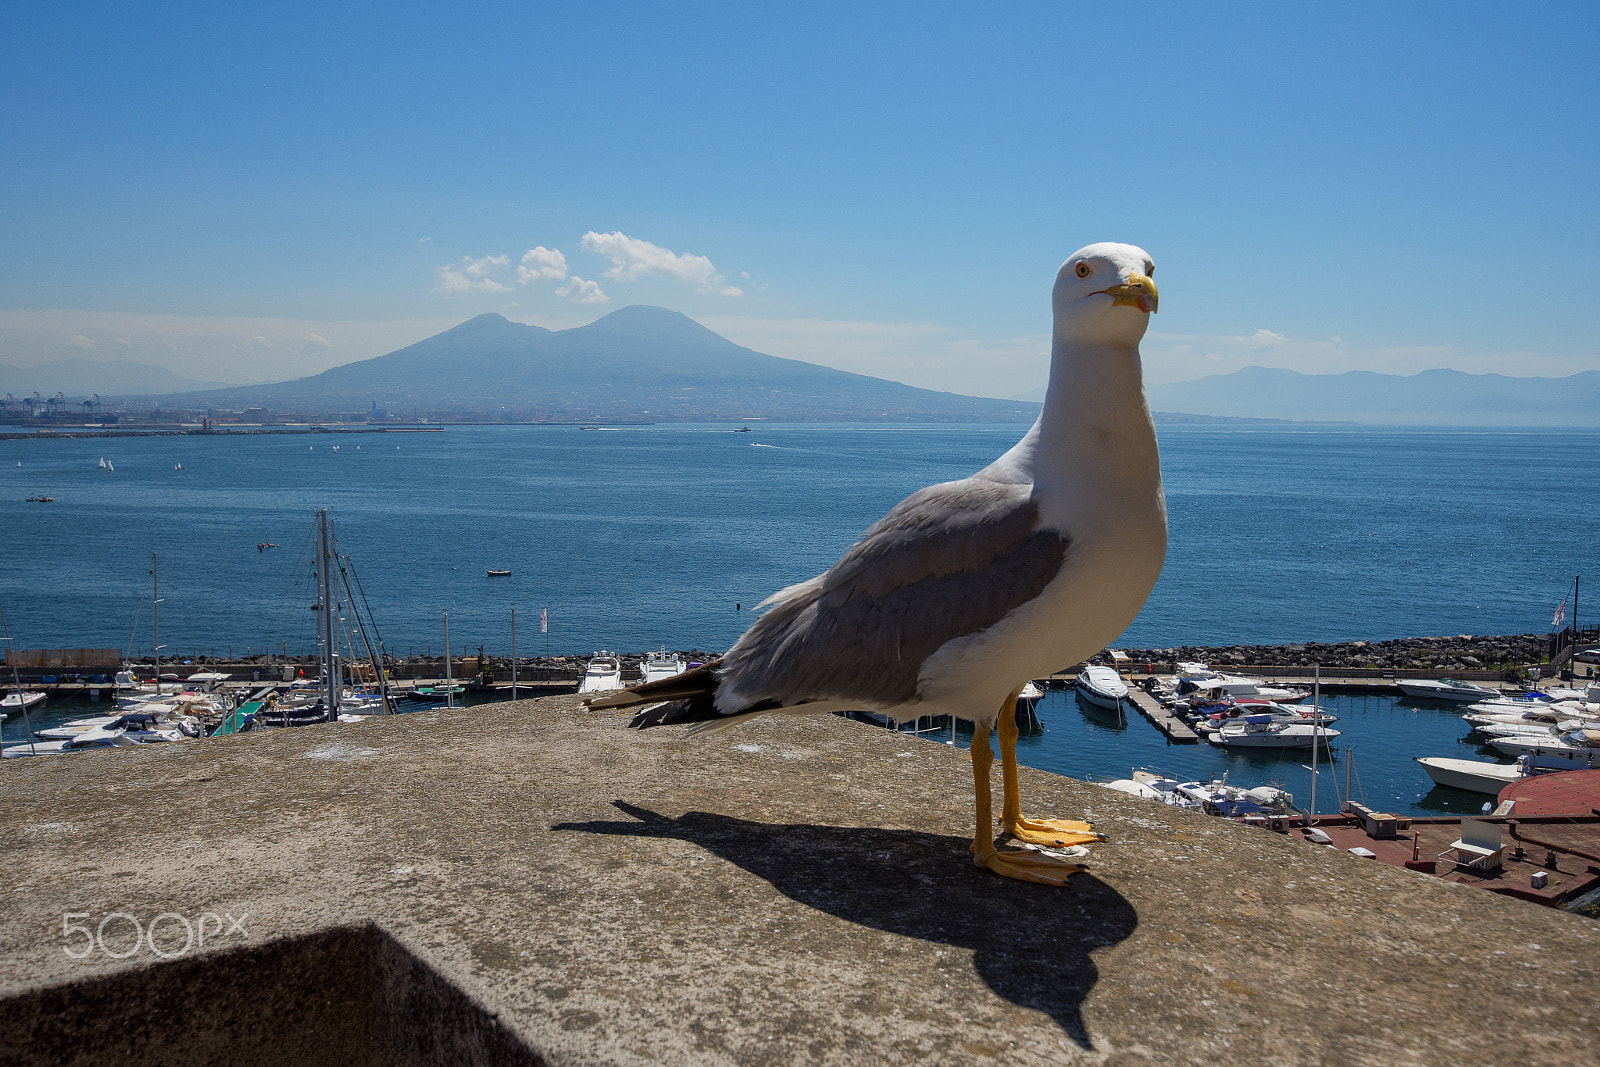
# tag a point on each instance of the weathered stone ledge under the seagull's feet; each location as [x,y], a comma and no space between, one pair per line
[530,882]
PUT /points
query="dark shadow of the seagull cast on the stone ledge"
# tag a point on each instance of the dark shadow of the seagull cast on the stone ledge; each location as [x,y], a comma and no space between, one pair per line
[1031,945]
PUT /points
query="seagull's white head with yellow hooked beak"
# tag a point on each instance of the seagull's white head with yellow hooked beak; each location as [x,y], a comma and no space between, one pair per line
[1105,294]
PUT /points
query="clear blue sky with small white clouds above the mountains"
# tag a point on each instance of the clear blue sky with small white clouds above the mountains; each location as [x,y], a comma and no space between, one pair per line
[263,193]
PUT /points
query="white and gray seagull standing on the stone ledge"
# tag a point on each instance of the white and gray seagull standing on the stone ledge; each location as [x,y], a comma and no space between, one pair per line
[969,589]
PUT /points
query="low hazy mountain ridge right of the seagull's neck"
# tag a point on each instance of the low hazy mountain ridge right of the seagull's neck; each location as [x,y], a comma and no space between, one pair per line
[1441,398]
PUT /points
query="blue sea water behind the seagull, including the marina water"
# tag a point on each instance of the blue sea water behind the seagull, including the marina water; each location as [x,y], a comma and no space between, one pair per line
[633,538]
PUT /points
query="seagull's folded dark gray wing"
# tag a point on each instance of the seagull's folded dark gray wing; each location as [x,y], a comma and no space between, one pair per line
[946,562]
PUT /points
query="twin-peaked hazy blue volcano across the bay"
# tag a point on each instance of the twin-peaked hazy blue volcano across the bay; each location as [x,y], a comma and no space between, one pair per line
[642,364]
